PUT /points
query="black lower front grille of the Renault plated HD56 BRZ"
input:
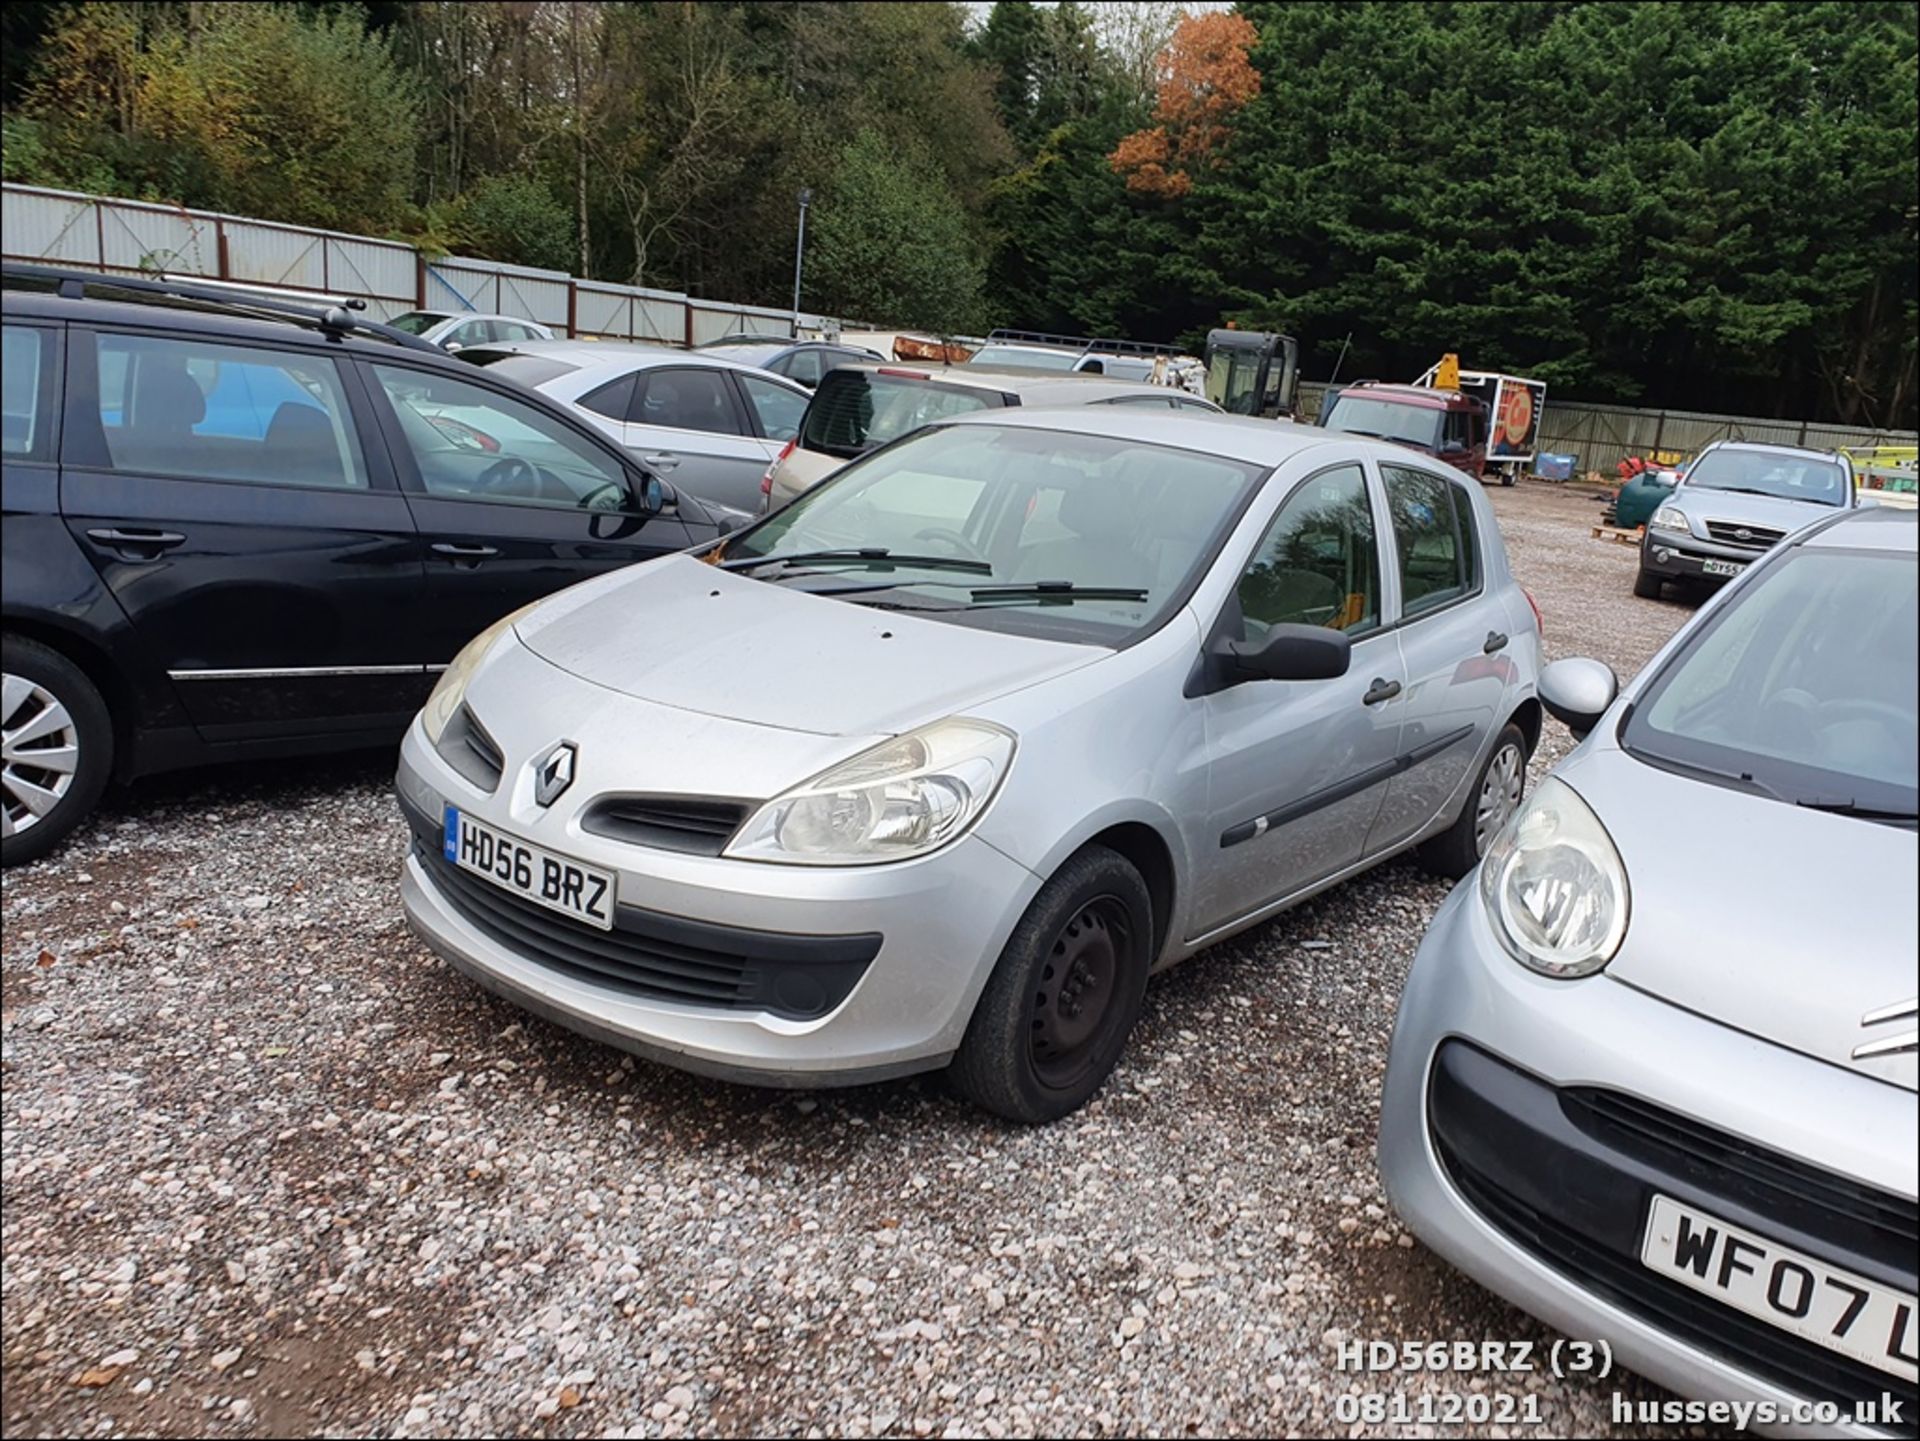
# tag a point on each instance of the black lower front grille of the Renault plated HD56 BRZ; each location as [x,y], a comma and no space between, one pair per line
[660,957]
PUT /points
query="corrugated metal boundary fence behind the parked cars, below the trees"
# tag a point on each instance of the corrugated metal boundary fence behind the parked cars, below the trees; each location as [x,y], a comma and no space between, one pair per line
[60,227]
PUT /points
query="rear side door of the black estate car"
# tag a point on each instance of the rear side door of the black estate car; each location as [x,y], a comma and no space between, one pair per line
[231,504]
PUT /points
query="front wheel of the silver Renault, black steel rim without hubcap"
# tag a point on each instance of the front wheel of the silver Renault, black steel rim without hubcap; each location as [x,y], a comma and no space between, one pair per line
[1065,997]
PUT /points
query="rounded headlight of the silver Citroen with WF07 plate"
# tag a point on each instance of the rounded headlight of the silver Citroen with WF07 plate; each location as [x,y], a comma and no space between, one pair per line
[1554,886]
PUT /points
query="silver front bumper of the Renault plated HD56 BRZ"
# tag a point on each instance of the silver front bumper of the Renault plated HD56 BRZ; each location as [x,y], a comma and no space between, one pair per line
[896,953]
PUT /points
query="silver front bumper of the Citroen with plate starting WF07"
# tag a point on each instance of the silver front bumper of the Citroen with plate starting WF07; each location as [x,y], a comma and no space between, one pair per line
[1522,1141]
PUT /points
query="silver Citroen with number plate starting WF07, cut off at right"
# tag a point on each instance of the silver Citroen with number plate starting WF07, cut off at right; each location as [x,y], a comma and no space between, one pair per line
[1654,1070]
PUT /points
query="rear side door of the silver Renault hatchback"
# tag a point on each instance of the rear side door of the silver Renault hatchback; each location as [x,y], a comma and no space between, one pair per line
[1452,642]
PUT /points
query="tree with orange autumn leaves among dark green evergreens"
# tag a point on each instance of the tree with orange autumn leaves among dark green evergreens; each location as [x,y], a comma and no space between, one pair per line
[1205,78]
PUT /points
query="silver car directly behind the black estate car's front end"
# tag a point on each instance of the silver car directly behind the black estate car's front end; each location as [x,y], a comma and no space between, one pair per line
[696,419]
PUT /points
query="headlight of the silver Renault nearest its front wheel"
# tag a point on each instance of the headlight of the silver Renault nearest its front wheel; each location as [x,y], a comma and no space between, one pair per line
[900,799]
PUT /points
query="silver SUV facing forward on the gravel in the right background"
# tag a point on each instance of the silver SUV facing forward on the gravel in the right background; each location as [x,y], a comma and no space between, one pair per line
[1733,506]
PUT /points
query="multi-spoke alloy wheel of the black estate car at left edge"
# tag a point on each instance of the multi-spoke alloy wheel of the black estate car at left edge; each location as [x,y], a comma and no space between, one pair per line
[59,749]
